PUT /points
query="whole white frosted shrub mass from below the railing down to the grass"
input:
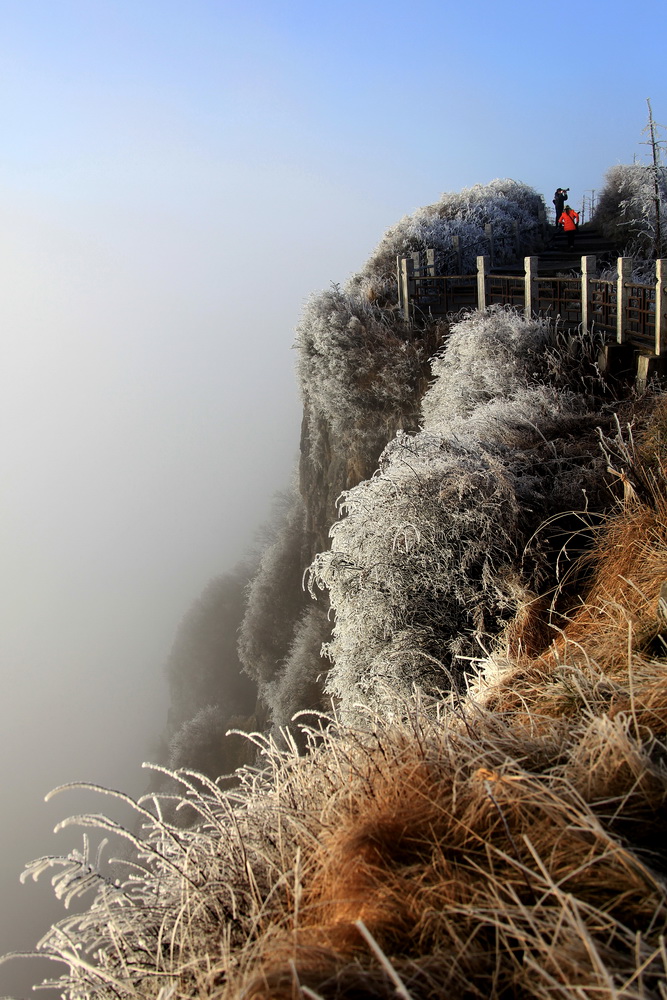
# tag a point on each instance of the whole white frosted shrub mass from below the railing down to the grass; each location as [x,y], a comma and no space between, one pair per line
[428,559]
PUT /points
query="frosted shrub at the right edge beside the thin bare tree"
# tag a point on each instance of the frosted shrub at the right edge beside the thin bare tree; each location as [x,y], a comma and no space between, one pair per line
[626,210]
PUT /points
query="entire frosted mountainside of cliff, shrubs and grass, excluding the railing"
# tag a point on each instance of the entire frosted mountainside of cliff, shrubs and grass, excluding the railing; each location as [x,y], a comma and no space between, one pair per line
[474,802]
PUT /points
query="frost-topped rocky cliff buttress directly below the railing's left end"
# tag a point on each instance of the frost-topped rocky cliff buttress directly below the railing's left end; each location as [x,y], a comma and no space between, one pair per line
[361,381]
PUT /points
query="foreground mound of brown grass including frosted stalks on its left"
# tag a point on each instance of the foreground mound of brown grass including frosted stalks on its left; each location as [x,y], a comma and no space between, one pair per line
[452,852]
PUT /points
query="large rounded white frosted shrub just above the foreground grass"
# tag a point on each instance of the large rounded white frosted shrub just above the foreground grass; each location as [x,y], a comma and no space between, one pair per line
[412,566]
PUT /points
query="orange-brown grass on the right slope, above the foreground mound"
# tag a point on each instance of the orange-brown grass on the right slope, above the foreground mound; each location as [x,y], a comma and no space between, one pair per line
[616,636]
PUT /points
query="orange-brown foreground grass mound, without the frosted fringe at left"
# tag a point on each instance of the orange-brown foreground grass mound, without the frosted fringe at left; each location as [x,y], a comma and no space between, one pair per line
[484,862]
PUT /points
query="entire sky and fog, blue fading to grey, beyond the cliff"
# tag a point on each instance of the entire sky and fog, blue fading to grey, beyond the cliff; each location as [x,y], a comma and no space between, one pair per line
[176,179]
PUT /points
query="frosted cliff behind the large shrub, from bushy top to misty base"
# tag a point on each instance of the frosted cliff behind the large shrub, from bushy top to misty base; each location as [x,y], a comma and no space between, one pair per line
[362,373]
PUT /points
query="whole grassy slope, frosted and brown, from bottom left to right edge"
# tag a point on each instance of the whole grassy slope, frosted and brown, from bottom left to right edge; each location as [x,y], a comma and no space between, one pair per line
[501,842]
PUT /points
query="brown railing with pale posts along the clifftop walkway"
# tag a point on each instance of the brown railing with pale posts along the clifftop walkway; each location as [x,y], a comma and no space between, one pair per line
[628,312]
